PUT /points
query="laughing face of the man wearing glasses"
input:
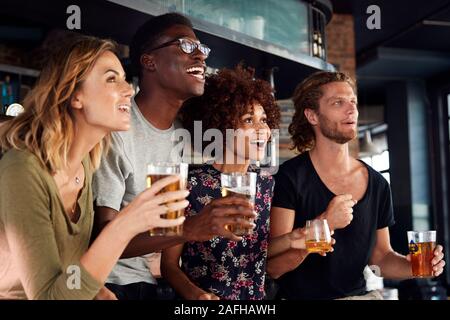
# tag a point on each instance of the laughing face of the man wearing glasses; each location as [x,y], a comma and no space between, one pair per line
[175,70]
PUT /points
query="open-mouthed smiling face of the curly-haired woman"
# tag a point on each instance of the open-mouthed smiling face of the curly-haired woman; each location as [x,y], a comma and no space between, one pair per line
[255,134]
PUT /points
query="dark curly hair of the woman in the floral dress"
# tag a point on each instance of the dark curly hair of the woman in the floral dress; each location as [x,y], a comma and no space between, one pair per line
[227,95]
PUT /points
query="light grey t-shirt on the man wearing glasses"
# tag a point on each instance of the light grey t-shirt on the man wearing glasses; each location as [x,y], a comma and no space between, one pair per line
[121,177]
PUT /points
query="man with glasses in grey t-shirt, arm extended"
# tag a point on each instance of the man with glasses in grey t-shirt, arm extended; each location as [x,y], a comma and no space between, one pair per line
[170,63]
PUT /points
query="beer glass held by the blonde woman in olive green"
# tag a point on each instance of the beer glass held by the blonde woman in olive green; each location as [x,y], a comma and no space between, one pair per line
[157,171]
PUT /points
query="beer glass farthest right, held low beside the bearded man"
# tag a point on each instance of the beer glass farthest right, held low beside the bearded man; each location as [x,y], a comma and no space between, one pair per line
[421,247]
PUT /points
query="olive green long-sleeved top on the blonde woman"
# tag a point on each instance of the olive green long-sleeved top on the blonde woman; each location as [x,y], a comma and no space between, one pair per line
[40,247]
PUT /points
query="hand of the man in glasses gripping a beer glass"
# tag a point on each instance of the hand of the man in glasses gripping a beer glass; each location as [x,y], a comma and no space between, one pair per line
[211,221]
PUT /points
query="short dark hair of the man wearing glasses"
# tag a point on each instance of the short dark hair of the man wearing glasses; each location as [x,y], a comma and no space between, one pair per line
[147,34]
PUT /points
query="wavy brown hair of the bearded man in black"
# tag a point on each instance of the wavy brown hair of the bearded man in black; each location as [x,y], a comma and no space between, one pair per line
[306,96]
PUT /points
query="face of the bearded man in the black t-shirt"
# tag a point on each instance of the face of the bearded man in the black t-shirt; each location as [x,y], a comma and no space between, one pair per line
[338,112]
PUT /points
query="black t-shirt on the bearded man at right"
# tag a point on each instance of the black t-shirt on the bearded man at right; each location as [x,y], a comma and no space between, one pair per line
[340,273]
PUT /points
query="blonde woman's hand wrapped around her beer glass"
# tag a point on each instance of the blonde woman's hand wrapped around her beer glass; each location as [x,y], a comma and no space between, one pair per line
[144,212]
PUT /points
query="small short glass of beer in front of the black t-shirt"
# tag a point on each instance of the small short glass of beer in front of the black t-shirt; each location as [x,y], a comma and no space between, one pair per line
[318,236]
